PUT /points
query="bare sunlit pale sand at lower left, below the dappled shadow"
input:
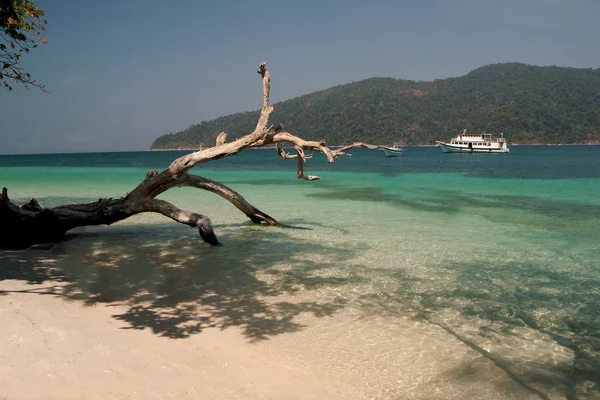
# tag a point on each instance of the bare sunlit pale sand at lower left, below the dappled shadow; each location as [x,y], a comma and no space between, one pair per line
[54,349]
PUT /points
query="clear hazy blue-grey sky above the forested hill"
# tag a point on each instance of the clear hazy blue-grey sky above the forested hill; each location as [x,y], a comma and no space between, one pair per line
[122,72]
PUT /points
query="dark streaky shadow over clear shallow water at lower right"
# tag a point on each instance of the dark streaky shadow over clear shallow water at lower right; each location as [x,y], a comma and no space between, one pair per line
[541,327]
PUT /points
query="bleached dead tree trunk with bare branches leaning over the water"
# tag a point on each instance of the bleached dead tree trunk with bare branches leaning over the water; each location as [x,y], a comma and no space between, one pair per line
[33,224]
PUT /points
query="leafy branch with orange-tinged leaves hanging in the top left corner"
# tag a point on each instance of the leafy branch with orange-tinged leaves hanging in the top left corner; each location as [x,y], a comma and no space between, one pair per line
[21,24]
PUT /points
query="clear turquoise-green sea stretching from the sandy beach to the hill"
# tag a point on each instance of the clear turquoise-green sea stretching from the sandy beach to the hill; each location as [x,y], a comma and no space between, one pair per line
[429,276]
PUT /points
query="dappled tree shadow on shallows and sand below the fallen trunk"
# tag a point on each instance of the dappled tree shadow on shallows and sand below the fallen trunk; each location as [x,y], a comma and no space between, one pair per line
[178,286]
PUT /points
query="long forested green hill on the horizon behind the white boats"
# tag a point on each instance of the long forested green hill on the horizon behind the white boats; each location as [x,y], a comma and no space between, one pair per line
[529,104]
